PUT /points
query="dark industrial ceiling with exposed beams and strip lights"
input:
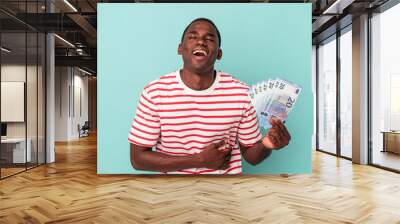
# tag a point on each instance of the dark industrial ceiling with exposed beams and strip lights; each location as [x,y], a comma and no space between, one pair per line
[76,22]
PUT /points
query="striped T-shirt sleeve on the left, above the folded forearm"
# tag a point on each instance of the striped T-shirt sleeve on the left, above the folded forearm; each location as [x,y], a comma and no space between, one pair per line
[145,130]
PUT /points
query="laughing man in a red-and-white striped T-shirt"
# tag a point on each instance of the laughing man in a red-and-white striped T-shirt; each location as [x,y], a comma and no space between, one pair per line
[200,121]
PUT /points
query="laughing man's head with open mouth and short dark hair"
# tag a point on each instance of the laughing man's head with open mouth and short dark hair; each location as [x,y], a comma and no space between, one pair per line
[199,48]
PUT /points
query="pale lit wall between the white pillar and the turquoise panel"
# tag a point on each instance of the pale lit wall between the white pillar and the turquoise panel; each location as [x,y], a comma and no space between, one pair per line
[71,102]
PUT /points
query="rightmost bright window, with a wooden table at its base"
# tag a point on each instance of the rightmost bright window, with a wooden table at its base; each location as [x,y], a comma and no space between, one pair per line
[385,89]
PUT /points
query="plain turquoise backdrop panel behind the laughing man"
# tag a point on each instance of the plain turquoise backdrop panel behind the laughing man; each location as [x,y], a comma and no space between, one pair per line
[137,43]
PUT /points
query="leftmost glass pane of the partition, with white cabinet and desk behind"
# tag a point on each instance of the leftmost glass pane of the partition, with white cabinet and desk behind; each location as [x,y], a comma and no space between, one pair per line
[13,110]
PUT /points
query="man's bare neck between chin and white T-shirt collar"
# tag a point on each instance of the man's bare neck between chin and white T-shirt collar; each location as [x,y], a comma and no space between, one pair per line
[197,81]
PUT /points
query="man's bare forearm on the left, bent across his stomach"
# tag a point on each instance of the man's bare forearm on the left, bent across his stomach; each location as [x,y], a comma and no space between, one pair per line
[156,161]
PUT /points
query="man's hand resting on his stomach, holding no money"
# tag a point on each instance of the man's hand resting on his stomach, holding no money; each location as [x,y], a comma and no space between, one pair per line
[214,158]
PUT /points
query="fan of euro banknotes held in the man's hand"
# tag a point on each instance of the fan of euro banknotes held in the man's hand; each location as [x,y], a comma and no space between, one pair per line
[273,98]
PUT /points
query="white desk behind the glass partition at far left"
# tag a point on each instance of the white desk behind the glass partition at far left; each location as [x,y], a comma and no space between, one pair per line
[16,148]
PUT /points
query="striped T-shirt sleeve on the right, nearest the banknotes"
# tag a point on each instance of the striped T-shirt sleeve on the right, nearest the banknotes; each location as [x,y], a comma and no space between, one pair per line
[249,131]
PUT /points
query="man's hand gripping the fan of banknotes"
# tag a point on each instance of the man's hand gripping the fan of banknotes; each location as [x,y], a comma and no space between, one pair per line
[277,136]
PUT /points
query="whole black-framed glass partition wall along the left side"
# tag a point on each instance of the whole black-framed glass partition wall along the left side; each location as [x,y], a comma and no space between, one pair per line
[22,88]
